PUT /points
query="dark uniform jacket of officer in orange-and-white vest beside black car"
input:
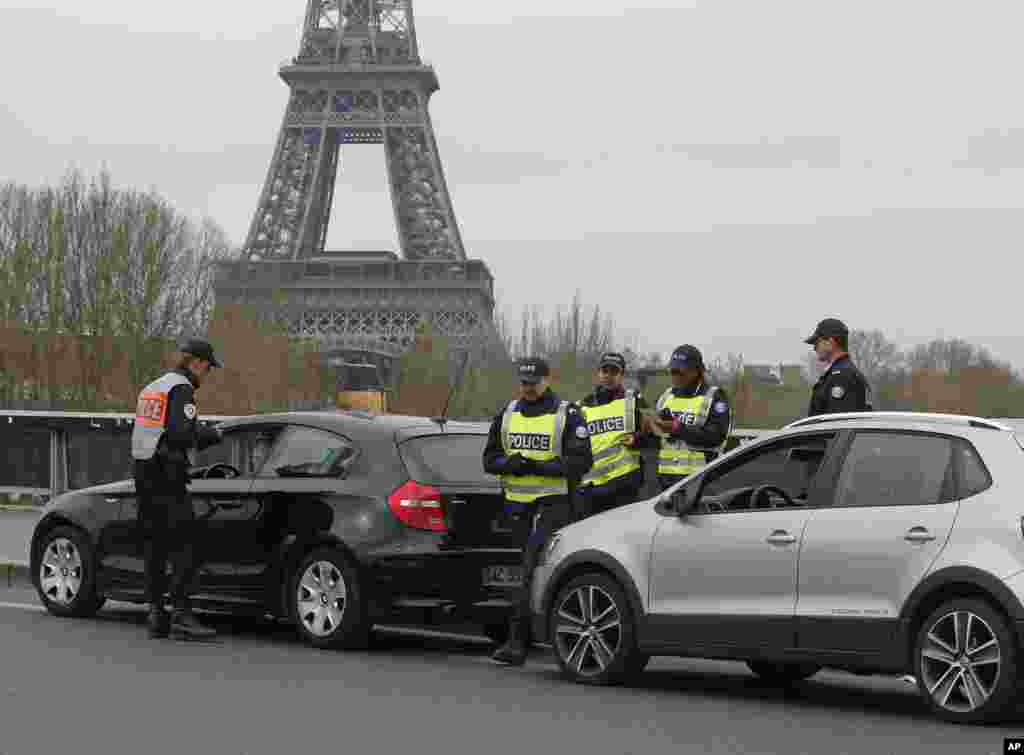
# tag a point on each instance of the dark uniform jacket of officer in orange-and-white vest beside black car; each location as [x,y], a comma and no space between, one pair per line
[183,434]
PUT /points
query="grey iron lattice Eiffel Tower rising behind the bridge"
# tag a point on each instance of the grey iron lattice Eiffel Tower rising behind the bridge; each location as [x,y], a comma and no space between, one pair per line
[359,80]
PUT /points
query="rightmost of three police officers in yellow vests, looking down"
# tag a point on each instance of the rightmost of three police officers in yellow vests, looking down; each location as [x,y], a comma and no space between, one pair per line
[695,418]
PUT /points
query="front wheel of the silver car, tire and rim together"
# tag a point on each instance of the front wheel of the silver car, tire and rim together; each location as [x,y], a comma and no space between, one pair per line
[600,645]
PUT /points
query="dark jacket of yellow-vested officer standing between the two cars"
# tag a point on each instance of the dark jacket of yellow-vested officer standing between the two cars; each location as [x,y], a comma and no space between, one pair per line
[576,459]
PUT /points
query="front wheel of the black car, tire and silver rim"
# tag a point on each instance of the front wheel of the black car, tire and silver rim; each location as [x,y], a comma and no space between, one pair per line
[65,576]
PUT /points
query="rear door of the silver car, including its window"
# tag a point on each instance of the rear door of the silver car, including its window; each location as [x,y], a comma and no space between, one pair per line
[892,514]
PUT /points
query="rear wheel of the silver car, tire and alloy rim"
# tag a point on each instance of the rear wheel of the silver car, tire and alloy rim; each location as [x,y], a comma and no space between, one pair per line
[965,658]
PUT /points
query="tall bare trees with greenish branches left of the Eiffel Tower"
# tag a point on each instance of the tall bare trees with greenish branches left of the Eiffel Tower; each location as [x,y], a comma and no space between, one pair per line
[118,270]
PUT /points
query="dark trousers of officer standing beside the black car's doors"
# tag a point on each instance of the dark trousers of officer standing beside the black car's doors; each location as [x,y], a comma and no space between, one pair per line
[168,529]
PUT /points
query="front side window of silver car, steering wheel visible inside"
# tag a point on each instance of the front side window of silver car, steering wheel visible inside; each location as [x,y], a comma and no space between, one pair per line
[791,466]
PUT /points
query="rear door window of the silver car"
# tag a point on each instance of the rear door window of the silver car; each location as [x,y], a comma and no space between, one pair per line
[898,470]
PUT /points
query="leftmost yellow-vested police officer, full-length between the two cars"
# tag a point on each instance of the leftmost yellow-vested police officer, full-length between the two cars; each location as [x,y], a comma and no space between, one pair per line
[540,449]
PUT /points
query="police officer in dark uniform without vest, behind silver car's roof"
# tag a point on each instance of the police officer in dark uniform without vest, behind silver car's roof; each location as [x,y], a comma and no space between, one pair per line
[842,387]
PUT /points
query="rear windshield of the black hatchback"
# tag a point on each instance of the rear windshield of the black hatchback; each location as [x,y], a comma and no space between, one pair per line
[447,459]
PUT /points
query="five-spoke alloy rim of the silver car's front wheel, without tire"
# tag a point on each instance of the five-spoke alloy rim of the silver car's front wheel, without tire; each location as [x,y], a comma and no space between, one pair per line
[588,633]
